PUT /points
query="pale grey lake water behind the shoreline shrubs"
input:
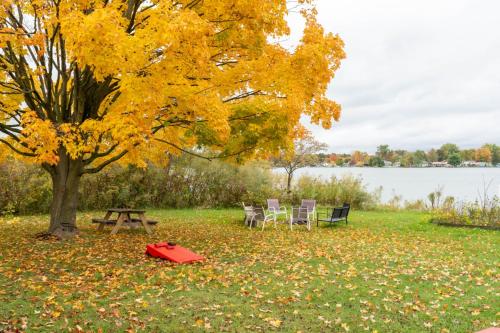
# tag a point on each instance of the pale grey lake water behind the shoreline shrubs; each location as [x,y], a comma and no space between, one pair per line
[464,184]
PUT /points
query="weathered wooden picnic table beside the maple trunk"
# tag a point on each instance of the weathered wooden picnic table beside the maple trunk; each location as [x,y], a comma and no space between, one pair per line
[124,219]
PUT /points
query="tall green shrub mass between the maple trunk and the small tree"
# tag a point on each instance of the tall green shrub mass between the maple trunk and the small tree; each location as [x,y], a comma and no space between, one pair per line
[187,182]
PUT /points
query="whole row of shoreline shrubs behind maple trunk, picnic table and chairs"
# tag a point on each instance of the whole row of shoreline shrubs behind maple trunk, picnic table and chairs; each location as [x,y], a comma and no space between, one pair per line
[187,182]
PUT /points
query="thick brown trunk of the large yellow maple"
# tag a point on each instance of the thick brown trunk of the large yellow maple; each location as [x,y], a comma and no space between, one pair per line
[65,180]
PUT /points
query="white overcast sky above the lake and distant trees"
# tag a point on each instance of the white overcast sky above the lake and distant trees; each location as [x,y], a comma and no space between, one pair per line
[418,73]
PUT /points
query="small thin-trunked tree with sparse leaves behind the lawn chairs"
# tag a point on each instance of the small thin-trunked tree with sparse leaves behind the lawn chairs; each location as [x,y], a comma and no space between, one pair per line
[304,154]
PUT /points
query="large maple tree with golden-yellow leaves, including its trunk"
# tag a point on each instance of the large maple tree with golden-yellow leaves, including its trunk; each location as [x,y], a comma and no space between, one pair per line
[85,83]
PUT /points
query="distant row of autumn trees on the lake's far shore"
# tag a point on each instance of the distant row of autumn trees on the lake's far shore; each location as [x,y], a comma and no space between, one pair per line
[449,153]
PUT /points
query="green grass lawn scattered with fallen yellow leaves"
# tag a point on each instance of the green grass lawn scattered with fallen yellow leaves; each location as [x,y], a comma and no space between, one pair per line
[384,272]
